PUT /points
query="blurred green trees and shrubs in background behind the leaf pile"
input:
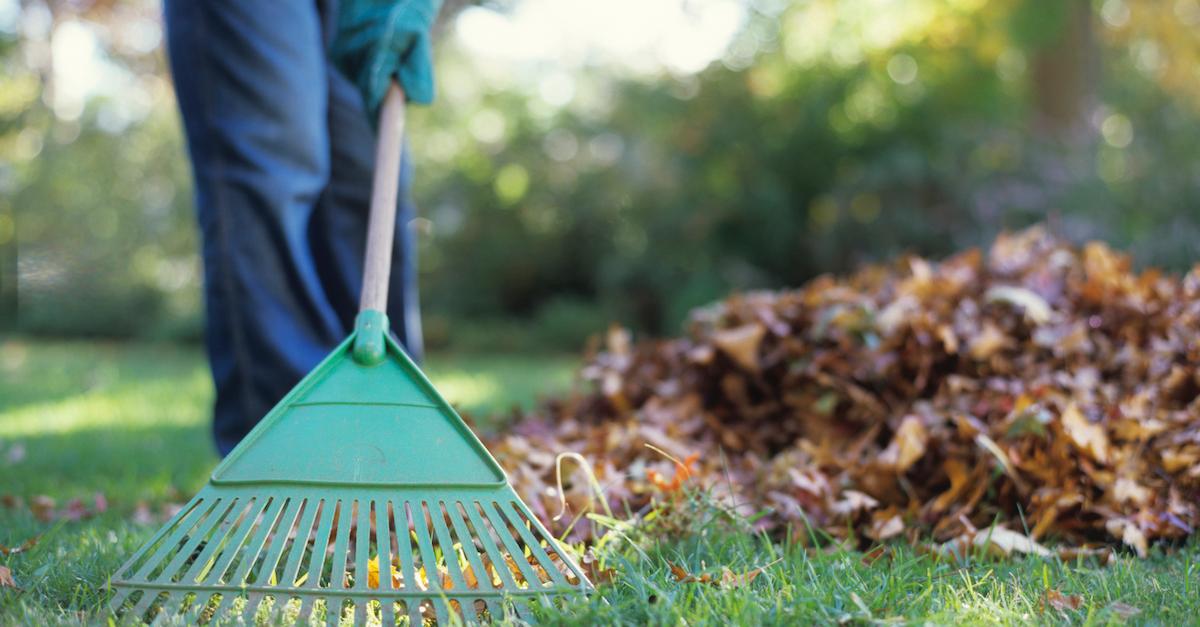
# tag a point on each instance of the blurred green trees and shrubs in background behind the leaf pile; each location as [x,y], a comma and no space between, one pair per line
[632,160]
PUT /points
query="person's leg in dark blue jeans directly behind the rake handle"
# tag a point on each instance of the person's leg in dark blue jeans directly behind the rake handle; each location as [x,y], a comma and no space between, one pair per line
[339,226]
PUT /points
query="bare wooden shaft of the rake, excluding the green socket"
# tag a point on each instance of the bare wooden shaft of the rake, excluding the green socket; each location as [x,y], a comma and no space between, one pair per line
[385,193]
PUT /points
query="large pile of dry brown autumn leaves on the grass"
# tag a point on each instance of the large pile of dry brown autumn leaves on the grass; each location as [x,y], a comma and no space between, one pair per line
[1037,387]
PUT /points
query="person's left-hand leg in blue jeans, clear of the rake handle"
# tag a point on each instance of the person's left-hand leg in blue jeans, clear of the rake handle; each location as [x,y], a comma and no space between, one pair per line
[250,76]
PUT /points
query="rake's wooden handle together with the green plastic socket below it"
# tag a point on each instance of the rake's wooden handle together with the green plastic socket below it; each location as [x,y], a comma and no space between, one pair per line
[371,327]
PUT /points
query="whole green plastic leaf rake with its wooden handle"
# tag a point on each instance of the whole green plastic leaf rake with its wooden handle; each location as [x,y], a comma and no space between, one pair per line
[361,495]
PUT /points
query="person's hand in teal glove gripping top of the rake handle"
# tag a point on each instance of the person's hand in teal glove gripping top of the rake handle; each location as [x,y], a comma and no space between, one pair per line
[381,40]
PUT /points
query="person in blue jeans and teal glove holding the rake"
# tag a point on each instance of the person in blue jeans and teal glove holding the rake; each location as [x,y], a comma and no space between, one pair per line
[279,103]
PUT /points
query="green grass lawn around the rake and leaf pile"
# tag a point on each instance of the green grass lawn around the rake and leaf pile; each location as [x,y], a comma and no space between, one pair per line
[130,423]
